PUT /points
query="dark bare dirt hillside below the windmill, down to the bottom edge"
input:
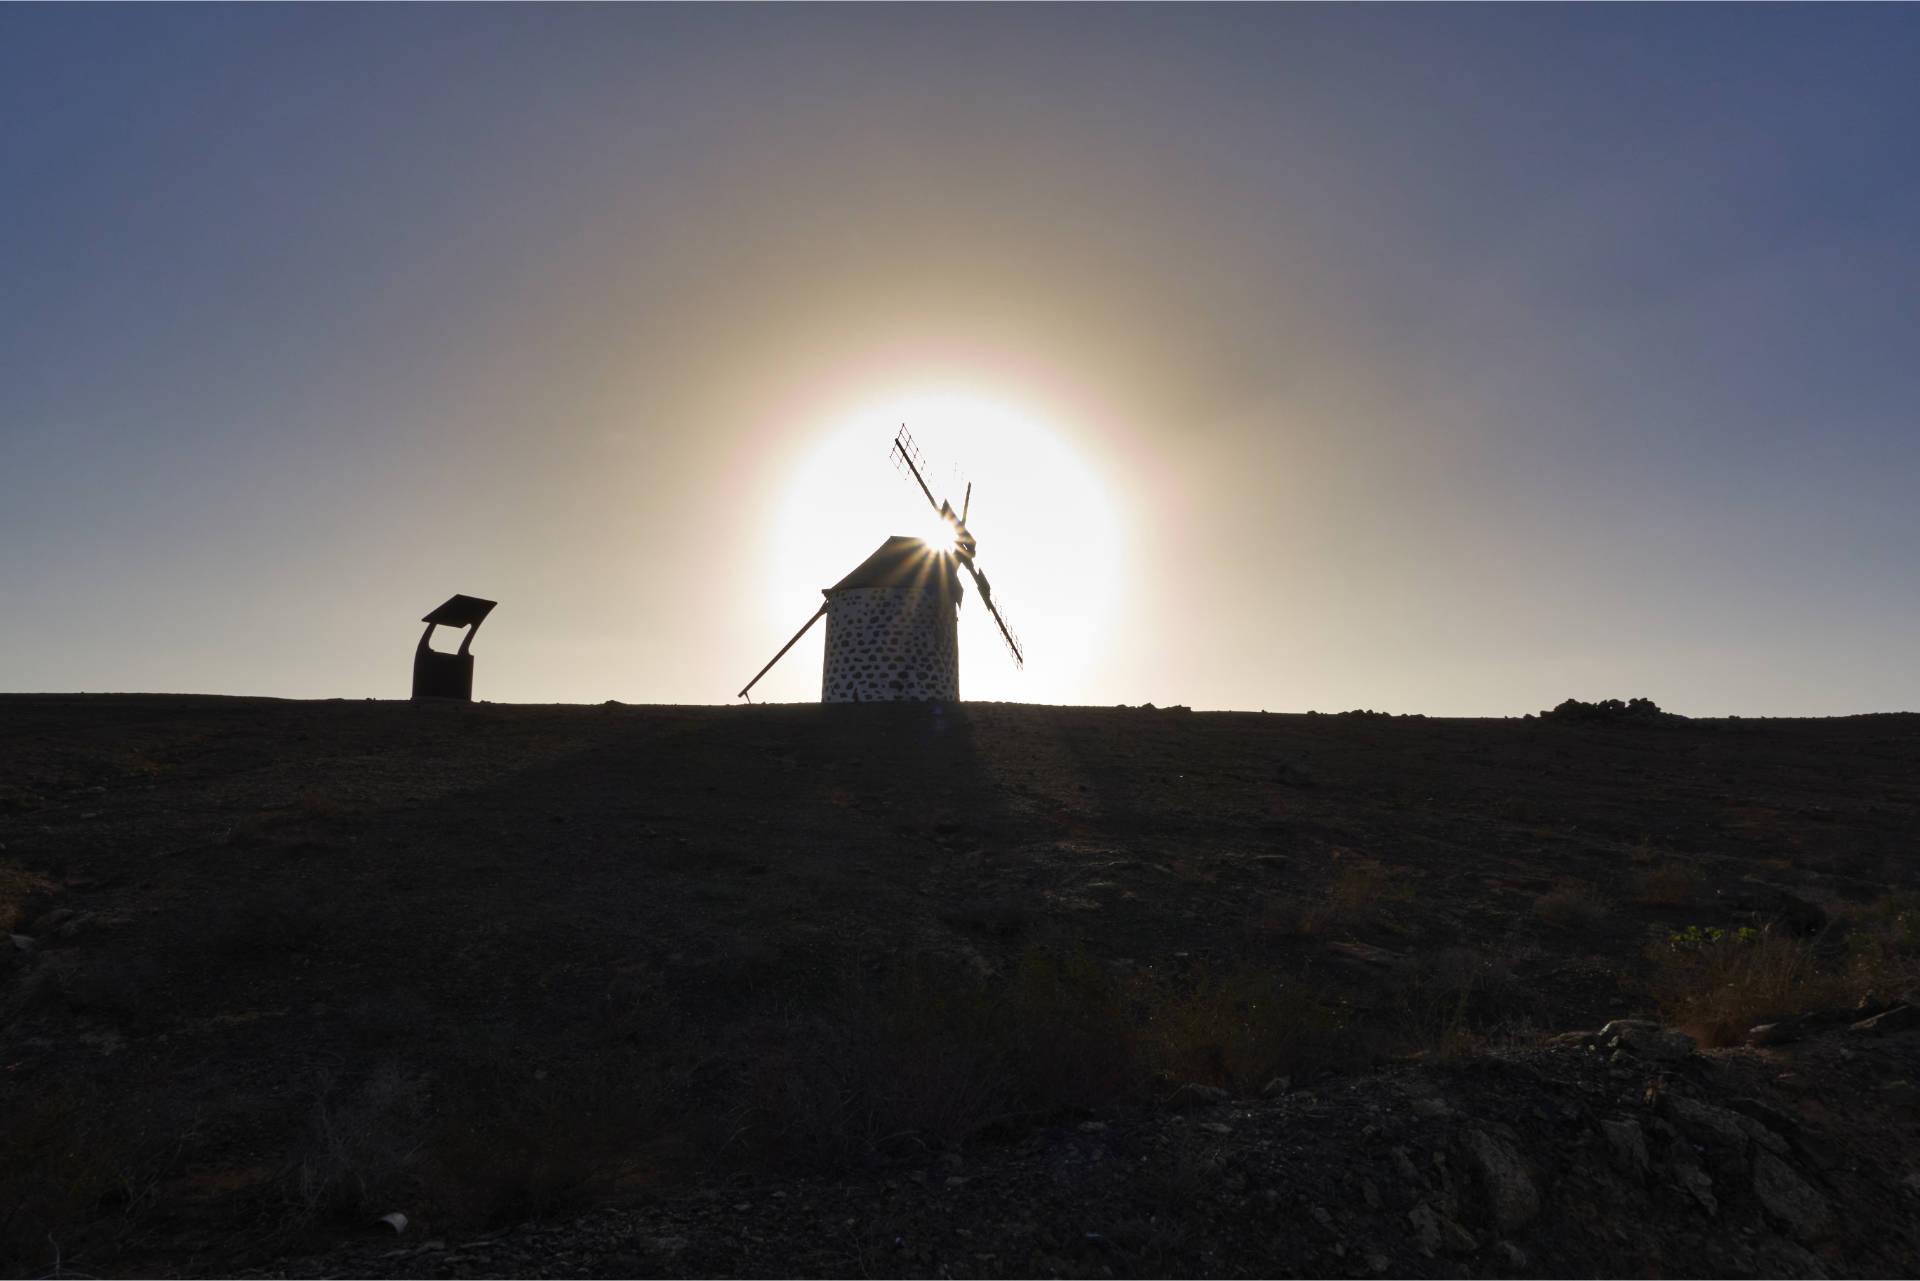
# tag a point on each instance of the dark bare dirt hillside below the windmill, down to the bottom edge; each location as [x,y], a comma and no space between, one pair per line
[704,992]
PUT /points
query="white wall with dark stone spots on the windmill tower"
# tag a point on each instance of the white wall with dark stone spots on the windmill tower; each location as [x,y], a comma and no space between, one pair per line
[892,644]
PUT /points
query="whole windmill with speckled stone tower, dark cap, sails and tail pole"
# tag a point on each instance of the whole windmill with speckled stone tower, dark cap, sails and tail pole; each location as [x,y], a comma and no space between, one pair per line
[892,623]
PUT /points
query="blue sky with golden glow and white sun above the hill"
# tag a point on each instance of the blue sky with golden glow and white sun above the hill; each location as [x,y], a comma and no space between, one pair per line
[1414,358]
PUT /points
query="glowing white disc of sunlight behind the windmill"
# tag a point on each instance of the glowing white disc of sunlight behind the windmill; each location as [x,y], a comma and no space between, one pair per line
[1049,539]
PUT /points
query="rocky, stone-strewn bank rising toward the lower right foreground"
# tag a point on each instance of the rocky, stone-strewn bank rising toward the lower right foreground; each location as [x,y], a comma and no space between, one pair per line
[1566,1161]
